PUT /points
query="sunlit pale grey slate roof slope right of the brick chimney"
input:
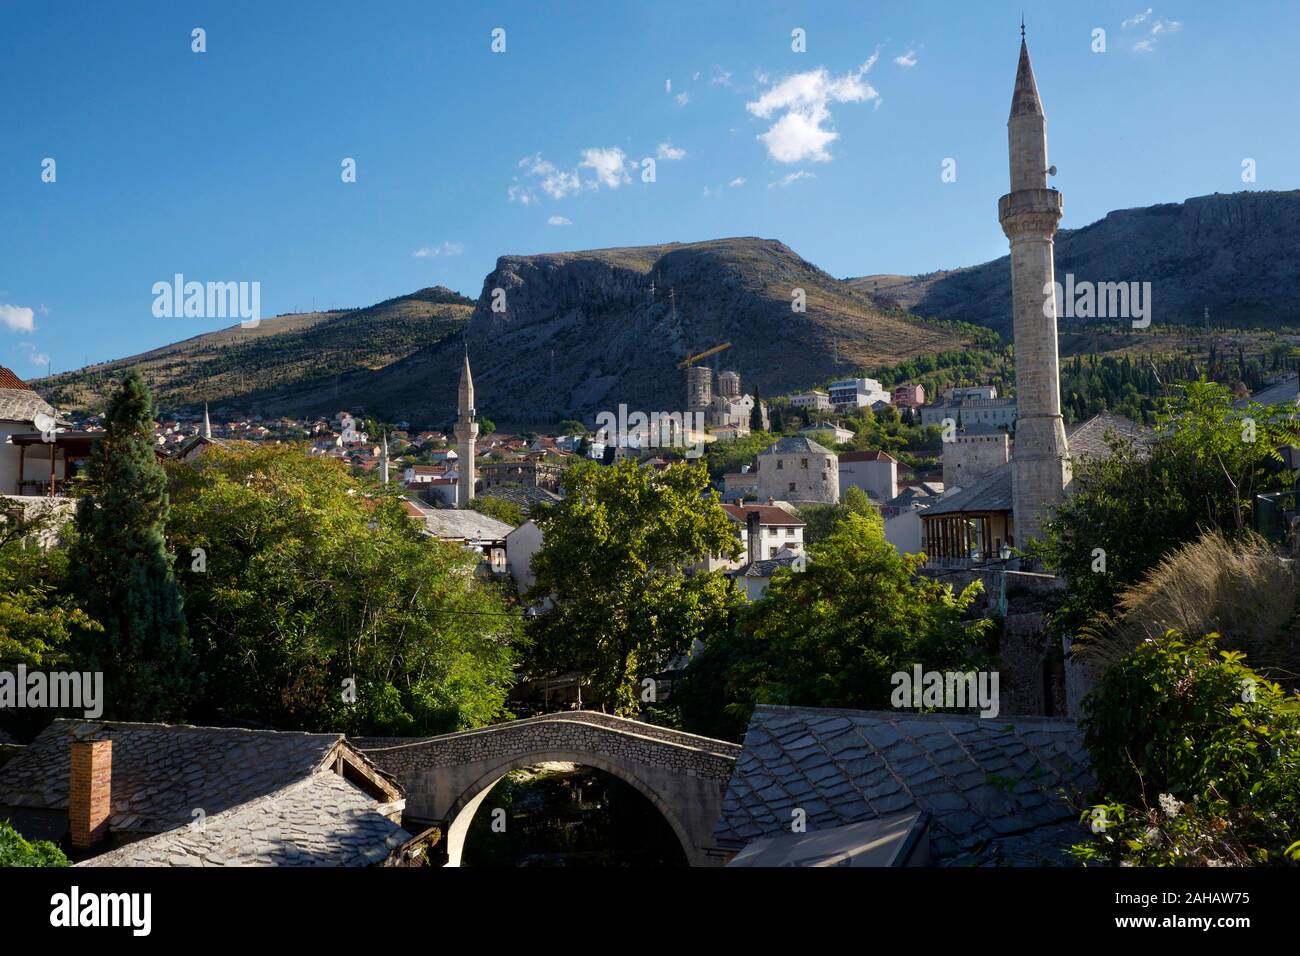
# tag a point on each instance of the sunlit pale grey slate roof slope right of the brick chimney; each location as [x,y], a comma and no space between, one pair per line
[319,821]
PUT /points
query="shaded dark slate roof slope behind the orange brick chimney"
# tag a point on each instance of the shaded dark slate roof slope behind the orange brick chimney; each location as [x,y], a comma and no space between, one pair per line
[163,773]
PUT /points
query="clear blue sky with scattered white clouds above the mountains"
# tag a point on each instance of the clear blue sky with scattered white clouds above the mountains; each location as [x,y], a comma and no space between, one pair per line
[226,166]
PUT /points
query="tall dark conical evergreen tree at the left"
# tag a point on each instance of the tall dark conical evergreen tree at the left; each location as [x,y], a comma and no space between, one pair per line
[122,569]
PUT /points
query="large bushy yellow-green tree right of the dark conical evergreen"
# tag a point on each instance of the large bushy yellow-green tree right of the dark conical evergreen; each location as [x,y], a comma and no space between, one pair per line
[320,607]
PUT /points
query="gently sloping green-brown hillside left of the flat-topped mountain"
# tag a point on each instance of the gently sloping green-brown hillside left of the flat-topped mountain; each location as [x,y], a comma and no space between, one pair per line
[280,357]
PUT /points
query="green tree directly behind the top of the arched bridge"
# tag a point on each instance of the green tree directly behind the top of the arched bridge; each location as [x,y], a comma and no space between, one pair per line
[616,569]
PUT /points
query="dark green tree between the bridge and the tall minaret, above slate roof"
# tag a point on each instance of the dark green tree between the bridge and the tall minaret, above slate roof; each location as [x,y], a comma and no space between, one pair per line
[833,635]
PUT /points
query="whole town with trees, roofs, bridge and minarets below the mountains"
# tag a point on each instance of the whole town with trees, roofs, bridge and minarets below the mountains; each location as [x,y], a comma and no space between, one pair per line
[872,622]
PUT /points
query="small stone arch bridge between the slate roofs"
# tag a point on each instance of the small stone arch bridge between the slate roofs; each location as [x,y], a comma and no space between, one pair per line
[448,778]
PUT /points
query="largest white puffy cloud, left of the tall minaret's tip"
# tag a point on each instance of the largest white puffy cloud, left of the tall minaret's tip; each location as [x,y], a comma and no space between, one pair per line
[804,101]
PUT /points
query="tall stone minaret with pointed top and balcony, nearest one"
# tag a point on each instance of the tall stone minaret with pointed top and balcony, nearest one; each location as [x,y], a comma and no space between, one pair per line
[1030,213]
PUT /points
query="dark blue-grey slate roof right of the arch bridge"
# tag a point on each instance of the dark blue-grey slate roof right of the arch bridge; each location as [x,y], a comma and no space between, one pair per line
[991,786]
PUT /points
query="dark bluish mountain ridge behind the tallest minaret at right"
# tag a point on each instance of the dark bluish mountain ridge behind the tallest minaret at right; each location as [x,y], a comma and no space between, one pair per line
[1233,254]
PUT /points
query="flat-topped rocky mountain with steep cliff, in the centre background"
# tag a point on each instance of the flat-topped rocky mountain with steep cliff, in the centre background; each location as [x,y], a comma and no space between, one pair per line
[575,334]
